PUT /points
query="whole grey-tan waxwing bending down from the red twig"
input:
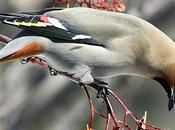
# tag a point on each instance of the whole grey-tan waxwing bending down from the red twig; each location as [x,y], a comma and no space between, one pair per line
[90,44]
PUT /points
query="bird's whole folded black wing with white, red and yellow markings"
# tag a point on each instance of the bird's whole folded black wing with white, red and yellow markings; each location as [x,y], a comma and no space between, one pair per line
[48,26]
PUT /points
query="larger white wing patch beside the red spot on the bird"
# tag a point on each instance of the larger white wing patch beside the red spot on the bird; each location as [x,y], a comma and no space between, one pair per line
[56,23]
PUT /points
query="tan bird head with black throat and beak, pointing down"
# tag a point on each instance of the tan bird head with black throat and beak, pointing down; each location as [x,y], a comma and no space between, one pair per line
[161,58]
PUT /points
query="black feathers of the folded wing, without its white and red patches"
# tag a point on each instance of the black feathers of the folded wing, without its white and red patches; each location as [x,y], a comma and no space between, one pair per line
[47,31]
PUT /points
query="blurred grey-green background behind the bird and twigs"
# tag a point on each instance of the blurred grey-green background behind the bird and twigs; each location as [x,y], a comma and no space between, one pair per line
[31,99]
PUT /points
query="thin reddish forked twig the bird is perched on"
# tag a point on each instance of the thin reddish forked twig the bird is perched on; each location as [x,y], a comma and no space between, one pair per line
[110,113]
